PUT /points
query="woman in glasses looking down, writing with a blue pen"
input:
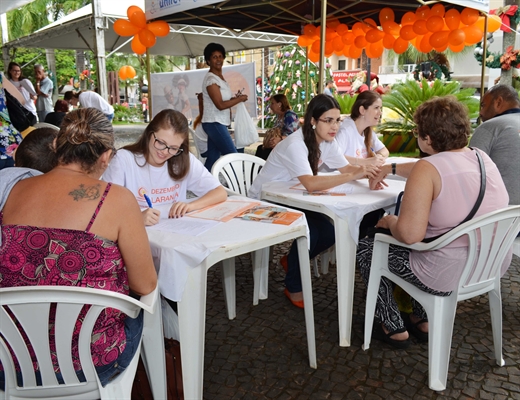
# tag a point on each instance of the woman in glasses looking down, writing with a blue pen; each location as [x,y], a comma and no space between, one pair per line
[159,170]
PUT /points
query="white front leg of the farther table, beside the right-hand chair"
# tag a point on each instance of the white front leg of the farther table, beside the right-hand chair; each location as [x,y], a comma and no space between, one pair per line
[346,268]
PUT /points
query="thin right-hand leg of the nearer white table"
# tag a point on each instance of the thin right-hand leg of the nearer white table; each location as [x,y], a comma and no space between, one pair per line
[305,271]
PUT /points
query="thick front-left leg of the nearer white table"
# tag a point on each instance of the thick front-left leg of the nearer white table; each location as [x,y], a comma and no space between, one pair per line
[192,321]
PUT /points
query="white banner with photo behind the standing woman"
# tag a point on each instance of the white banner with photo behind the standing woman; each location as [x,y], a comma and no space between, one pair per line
[177,90]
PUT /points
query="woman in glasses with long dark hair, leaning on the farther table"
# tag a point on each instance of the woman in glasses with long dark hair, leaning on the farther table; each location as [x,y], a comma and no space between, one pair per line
[298,157]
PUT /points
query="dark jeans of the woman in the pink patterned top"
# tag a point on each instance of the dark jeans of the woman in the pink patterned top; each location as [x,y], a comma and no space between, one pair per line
[133,332]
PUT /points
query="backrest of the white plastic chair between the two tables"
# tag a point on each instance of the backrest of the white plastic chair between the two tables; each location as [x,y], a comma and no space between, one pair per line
[238,170]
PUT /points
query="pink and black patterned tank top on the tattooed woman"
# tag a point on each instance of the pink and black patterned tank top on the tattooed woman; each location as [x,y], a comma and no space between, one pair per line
[32,256]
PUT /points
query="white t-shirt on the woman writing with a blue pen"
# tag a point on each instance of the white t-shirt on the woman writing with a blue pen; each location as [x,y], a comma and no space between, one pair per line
[124,170]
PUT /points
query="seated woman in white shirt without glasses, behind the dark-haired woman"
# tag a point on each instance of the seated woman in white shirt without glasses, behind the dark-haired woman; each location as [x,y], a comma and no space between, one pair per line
[355,137]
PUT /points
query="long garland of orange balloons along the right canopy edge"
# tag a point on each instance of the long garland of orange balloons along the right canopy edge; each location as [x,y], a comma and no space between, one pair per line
[427,29]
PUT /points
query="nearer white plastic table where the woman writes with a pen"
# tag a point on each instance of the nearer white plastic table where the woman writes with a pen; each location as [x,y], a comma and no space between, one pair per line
[177,256]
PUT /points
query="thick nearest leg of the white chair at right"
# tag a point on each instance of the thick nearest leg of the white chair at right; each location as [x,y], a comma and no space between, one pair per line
[441,317]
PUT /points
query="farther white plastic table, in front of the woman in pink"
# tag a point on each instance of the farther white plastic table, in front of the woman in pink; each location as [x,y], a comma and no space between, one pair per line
[346,212]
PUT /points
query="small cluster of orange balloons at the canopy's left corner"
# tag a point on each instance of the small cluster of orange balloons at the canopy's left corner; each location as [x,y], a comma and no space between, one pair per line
[144,33]
